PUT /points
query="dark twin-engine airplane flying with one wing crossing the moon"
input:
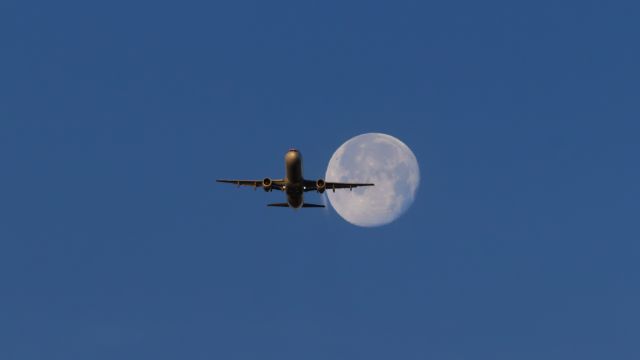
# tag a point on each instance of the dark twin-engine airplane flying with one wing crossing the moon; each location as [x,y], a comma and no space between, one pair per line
[294,184]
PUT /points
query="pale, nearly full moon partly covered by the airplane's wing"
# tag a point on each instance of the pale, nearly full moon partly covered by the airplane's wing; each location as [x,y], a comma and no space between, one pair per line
[380,159]
